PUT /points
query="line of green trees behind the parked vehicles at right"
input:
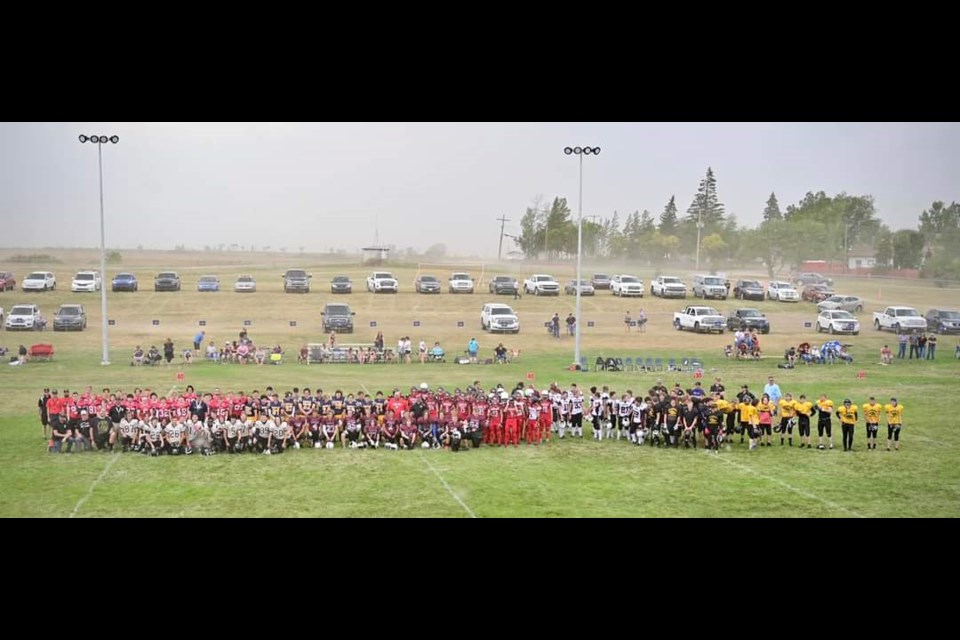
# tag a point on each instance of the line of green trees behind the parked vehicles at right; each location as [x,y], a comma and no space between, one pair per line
[819,227]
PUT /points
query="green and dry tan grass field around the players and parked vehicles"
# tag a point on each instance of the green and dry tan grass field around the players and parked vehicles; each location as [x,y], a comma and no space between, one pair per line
[567,479]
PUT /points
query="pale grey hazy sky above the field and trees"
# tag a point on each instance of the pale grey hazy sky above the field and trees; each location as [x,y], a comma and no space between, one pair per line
[324,185]
